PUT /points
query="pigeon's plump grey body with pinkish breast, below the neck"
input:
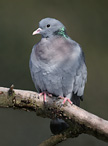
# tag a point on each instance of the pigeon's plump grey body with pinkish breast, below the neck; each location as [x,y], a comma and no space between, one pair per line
[57,66]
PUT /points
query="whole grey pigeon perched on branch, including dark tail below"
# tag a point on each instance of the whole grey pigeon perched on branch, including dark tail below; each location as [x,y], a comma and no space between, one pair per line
[57,66]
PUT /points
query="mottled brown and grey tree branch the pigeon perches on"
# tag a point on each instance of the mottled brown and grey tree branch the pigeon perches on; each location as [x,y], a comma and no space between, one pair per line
[79,120]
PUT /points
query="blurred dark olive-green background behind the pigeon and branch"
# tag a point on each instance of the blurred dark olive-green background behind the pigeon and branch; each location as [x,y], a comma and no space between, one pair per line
[87,23]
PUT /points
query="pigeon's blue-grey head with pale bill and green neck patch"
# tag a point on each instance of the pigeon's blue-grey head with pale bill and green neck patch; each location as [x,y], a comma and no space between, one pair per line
[48,27]
